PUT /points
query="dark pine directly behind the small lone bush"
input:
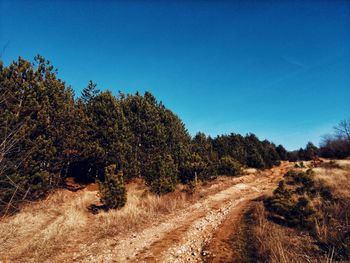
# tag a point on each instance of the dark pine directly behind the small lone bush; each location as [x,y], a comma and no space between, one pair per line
[108,138]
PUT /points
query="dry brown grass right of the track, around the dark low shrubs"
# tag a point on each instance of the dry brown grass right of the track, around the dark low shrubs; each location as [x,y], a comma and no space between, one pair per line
[276,243]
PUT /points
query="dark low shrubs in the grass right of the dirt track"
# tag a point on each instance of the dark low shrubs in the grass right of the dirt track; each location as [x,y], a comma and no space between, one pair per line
[303,201]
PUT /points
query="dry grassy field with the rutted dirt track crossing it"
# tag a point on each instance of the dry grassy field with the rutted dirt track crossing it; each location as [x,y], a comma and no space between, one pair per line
[223,221]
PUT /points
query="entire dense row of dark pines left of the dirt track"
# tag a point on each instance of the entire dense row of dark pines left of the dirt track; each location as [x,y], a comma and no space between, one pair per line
[48,134]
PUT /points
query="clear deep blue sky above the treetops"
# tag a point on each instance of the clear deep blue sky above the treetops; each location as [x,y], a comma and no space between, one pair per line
[279,69]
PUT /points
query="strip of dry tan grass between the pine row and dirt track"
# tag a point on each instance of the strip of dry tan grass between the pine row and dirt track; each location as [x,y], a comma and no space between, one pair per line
[61,222]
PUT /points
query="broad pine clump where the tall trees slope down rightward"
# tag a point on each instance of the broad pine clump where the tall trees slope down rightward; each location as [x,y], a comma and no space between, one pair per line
[155,131]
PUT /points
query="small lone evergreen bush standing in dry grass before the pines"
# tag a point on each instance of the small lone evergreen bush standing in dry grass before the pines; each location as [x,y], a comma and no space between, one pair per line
[112,189]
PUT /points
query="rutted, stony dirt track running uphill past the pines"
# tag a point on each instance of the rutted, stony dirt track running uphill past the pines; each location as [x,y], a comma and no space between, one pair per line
[182,236]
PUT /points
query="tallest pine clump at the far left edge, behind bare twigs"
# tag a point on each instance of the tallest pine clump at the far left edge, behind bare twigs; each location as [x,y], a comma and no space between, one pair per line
[36,109]
